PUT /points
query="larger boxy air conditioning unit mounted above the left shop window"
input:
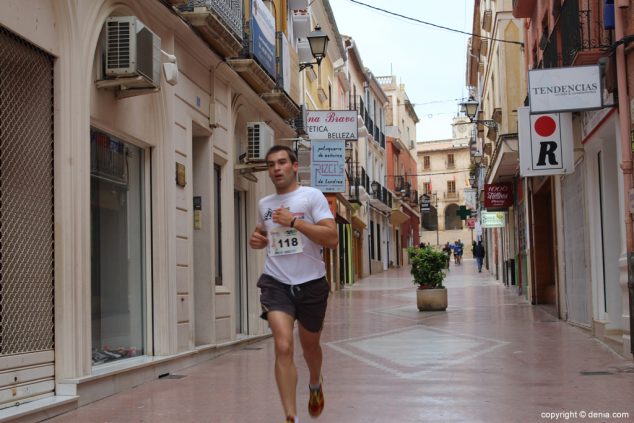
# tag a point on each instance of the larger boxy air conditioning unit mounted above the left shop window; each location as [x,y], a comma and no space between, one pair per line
[132,51]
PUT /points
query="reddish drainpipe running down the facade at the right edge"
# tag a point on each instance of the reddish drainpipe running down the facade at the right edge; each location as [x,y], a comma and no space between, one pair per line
[626,150]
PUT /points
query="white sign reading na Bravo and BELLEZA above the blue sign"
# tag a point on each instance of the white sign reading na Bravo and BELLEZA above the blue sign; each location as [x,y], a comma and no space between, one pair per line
[332,124]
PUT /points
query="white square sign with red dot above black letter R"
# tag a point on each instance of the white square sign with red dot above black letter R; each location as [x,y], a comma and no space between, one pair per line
[546,143]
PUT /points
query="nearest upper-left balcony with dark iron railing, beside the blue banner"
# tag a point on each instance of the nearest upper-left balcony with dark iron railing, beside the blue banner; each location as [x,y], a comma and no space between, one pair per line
[219,23]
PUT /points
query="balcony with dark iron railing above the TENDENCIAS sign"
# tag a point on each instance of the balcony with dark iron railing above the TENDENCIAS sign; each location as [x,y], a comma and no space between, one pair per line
[582,33]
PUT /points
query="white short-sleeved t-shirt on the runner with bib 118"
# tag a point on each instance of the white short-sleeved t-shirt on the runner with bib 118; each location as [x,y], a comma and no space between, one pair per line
[305,203]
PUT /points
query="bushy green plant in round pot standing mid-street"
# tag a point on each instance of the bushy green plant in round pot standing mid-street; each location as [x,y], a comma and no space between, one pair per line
[428,270]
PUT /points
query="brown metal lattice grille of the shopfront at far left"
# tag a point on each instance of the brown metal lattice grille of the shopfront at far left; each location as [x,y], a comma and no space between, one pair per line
[26,197]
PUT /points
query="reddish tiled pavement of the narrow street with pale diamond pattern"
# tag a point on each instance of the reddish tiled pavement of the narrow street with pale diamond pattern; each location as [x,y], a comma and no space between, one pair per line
[491,357]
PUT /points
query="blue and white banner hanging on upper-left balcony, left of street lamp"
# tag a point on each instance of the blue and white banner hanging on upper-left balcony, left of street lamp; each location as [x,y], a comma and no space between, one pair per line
[263,36]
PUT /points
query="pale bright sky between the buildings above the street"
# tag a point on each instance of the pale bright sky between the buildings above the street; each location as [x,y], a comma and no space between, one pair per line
[429,61]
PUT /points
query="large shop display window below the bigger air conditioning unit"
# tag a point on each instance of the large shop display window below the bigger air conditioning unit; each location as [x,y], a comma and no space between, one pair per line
[118,280]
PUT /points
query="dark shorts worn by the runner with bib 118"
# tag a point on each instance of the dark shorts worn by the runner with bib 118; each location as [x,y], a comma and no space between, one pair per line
[305,302]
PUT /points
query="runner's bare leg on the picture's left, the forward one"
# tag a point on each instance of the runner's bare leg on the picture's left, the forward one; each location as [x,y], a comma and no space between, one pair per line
[285,371]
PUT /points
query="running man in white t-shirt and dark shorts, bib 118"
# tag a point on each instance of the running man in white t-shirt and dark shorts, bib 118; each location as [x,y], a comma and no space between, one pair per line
[294,224]
